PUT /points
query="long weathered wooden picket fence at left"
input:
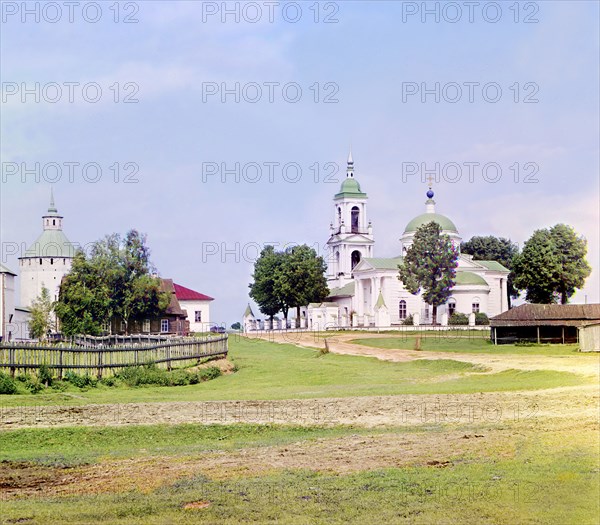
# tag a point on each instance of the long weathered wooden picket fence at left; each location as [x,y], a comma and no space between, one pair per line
[97,355]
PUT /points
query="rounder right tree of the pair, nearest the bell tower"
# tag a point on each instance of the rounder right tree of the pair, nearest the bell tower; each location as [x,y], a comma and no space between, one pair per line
[302,280]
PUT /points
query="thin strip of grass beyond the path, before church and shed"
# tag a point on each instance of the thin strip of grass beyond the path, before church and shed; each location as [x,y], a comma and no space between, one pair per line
[443,342]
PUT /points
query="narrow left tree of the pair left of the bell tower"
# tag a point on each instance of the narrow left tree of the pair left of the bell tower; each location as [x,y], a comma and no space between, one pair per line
[265,286]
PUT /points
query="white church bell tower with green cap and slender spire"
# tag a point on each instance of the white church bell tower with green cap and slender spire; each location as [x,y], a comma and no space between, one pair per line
[351,234]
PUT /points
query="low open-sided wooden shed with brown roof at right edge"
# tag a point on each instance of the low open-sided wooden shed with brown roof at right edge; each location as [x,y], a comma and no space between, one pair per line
[543,323]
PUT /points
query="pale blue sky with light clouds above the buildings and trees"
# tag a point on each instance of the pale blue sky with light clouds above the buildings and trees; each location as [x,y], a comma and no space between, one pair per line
[368,54]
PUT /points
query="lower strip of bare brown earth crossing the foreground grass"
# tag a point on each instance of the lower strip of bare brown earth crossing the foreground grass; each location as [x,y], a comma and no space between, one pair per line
[434,449]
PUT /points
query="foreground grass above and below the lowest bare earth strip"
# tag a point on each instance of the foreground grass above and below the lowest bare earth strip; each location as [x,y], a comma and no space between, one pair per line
[552,479]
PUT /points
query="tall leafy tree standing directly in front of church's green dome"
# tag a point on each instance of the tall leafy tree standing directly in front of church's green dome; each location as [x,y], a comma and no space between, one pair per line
[430,264]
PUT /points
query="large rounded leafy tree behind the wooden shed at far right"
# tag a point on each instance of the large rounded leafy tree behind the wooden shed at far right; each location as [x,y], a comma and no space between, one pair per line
[552,265]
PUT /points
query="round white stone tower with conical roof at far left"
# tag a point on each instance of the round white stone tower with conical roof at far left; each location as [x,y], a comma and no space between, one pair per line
[47,260]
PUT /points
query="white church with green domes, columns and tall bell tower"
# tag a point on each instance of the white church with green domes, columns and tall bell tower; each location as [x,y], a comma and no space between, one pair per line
[365,290]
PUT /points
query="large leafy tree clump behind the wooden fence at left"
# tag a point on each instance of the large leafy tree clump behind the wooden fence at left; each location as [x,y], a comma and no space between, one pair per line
[115,281]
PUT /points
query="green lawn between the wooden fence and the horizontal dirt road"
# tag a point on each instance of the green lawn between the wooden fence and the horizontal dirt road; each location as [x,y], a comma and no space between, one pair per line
[268,371]
